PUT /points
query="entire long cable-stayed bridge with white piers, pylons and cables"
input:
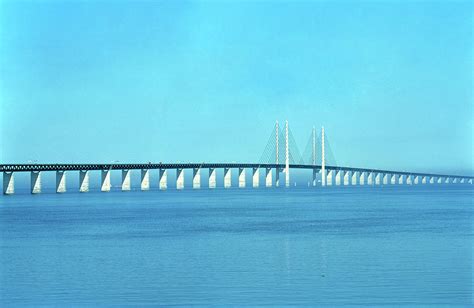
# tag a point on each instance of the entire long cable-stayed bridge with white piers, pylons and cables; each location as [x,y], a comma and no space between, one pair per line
[323,167]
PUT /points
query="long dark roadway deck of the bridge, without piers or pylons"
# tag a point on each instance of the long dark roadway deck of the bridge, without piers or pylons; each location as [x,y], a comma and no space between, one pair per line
[91,167]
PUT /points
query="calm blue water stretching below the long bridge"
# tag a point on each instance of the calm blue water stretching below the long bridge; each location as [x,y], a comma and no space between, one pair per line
[410,246]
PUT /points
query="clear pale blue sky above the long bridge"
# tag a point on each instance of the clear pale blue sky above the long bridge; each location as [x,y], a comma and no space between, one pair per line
[195,81]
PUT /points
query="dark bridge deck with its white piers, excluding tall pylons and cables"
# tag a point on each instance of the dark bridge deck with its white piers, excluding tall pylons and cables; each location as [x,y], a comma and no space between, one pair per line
[330,175]
